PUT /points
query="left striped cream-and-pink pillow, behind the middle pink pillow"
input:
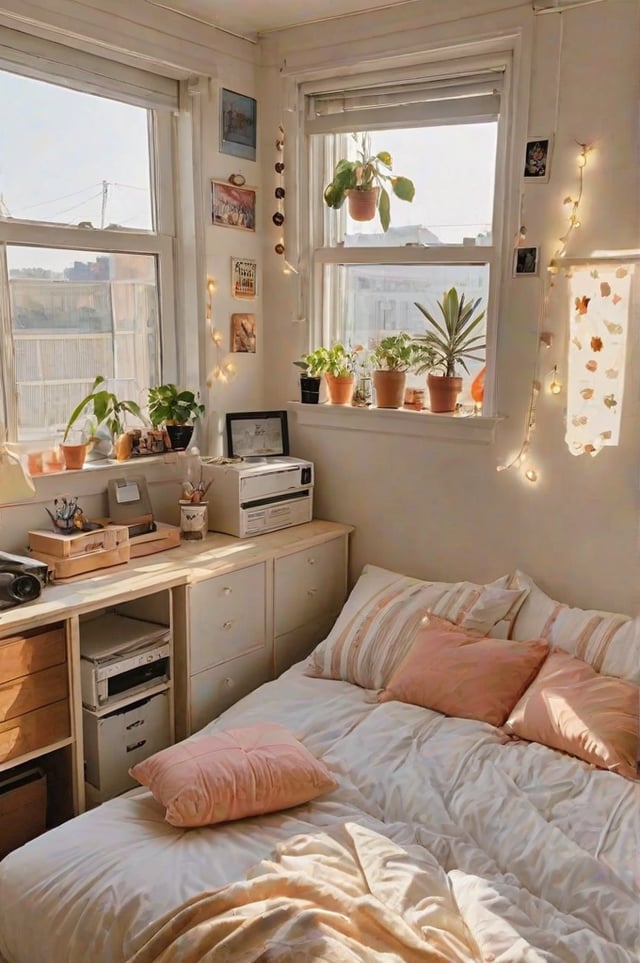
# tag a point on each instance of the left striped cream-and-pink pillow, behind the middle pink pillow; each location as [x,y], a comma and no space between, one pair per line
[378,623]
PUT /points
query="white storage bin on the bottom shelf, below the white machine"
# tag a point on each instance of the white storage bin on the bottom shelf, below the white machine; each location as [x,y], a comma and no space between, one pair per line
[118,740]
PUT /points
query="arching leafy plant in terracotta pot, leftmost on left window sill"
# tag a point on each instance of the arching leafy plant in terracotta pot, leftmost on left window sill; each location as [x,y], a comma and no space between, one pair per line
[104,414]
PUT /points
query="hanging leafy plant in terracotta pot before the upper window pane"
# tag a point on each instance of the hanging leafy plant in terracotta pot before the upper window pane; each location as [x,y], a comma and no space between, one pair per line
[364,182]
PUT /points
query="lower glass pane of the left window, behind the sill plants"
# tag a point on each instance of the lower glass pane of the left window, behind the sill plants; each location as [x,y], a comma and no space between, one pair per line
[76,315]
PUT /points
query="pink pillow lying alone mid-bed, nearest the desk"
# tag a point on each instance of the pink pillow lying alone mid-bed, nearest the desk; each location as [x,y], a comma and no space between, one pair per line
[229,775]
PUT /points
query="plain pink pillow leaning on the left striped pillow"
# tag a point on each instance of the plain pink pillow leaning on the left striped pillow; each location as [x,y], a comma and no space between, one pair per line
[459,673]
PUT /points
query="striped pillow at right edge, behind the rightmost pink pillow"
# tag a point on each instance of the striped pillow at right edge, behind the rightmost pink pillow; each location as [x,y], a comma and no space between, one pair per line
[608,641]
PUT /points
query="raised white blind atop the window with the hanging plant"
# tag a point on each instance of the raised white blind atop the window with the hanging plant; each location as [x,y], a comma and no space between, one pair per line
[451,100]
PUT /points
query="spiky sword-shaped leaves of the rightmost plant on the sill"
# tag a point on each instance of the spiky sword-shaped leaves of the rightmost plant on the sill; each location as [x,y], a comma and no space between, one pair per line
[451,339]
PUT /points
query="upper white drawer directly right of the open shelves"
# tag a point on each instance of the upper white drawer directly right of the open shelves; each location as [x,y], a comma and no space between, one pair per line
[227,617]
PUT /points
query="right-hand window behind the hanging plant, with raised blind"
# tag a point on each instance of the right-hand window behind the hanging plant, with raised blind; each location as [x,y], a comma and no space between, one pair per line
[444,128]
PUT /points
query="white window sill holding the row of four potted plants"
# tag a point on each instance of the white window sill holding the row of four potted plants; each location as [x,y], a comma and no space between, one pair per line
[468,428]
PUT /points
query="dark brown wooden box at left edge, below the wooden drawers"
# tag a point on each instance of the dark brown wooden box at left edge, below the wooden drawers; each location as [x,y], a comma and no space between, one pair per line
[23,808]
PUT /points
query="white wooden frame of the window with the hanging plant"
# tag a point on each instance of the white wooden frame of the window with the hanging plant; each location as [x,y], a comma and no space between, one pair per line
[315,255]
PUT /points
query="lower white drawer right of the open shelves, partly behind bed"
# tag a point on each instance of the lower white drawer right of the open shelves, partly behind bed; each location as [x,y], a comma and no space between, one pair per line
[216,689]
